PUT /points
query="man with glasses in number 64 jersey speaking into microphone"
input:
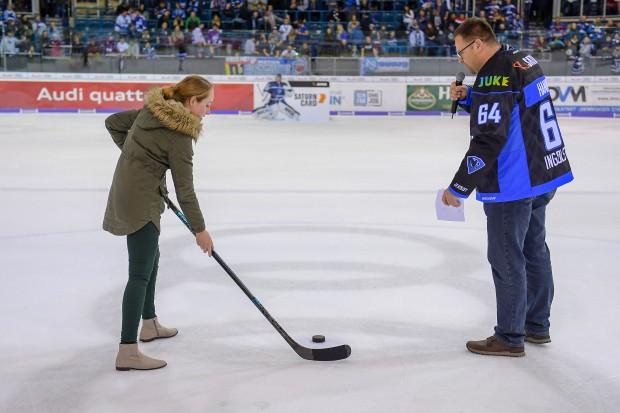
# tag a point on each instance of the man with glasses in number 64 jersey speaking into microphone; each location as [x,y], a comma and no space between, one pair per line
[515,161]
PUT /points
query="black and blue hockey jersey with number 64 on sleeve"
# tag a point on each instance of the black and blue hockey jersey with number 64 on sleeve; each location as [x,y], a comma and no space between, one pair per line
[516,149]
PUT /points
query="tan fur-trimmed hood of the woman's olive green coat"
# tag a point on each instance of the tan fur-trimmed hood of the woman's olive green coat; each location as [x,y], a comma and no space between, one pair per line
[171,114]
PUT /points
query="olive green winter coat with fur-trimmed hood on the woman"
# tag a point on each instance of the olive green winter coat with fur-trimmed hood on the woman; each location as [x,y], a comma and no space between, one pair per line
[152,140]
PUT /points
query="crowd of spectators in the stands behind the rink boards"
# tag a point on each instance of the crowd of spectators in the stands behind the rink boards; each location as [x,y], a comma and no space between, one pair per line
[291,28]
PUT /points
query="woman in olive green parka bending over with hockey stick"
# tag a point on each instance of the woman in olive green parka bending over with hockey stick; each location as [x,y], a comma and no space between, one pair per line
[154,139]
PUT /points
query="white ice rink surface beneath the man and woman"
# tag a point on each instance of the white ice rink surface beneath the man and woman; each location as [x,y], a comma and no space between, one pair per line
[332,227]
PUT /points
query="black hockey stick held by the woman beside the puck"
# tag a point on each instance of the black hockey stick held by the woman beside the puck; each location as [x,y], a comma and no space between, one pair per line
[317,354]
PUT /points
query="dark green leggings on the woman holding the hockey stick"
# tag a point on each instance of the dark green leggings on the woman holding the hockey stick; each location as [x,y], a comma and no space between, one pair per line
[139,297]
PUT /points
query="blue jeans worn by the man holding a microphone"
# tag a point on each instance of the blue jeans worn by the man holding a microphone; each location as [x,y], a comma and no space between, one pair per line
[521,266]
